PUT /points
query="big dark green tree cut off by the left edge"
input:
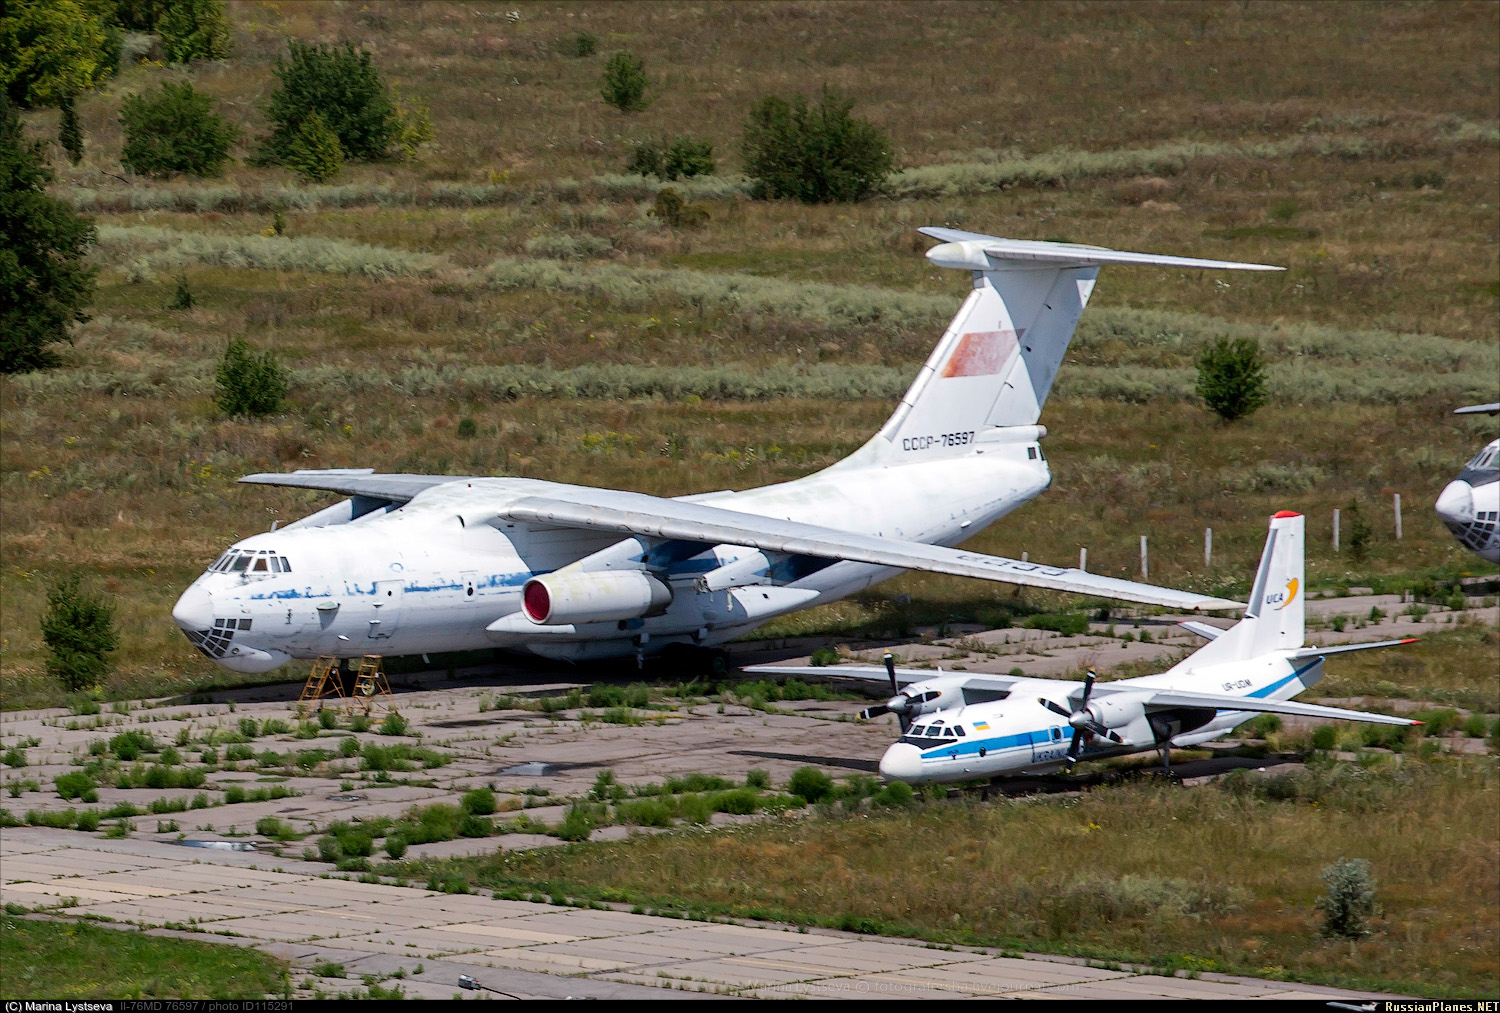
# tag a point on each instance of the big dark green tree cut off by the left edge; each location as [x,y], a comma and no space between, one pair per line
[44,281]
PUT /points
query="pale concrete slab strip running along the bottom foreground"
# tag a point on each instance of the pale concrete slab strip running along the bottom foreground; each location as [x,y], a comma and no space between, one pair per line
[535,951]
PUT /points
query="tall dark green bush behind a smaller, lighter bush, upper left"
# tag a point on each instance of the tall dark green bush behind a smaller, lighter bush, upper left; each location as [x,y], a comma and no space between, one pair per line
[340,85]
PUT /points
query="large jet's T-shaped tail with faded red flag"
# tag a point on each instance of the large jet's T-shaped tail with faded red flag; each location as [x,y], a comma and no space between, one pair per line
[995,364]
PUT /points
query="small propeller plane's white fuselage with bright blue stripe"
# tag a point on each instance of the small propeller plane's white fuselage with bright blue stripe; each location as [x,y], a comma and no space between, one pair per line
[1021,736]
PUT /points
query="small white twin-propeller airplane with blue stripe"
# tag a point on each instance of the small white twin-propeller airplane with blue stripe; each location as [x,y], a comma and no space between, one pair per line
[976,727]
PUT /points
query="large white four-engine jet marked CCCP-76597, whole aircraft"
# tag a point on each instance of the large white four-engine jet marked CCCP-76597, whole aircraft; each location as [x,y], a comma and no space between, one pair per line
[418,564]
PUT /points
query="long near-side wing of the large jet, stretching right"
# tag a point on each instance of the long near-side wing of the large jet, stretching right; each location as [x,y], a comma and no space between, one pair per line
[658,519]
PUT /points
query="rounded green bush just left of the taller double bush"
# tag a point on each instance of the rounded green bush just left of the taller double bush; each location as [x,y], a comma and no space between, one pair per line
[175,130]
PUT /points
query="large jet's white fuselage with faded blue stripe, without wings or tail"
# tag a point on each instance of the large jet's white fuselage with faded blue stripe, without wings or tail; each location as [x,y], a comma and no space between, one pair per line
[437,576]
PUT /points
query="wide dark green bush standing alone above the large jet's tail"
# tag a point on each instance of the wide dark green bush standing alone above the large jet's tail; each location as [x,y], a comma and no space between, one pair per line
[814,154]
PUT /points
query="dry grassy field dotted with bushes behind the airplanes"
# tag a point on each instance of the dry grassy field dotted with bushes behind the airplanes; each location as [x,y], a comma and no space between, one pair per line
[512,275]
